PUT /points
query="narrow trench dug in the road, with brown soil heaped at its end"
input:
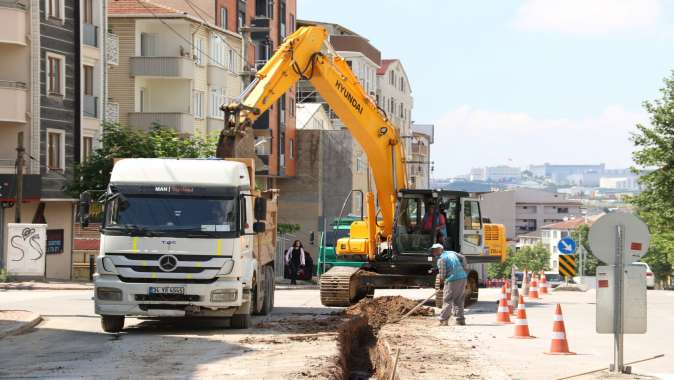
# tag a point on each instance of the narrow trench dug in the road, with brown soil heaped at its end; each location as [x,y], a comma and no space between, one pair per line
[361,355]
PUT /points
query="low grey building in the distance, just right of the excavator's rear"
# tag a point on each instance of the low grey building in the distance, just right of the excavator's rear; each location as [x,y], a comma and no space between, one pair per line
[526,210]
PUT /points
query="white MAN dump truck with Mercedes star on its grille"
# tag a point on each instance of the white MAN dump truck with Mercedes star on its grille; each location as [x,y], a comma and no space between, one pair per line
[184,237]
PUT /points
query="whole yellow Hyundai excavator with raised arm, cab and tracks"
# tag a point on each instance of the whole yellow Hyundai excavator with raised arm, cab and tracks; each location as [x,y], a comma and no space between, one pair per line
[391,243]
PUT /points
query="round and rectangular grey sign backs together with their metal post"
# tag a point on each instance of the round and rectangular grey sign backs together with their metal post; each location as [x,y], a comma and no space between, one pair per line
[619,239]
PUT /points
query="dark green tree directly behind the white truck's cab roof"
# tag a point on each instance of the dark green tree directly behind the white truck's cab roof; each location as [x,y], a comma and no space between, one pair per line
[124,142]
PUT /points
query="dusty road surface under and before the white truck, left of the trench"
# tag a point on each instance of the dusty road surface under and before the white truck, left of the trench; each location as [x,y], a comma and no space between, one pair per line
[70,343]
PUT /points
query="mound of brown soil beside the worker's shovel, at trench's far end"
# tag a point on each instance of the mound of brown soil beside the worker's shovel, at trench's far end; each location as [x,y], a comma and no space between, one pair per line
[387,309]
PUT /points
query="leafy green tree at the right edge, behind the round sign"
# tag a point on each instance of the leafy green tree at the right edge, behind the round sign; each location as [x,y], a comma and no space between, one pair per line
[654,157]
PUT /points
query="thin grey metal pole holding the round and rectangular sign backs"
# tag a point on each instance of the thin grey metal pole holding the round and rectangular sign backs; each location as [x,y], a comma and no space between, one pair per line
[618,303]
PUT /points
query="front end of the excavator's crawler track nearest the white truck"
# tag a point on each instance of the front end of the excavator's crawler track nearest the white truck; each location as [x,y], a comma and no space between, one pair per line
[338,286]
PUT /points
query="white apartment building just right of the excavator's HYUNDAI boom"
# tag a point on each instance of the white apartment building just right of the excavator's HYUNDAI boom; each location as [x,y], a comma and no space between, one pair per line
[394,95]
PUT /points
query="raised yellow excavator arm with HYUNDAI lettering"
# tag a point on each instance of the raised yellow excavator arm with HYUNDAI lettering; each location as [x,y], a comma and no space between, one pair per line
[306,54]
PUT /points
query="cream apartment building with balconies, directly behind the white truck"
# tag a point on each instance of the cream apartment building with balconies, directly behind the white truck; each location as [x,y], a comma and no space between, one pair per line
[175,68]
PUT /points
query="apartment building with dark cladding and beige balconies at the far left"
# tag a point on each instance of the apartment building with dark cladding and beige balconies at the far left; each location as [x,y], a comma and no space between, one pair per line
[52,90]
